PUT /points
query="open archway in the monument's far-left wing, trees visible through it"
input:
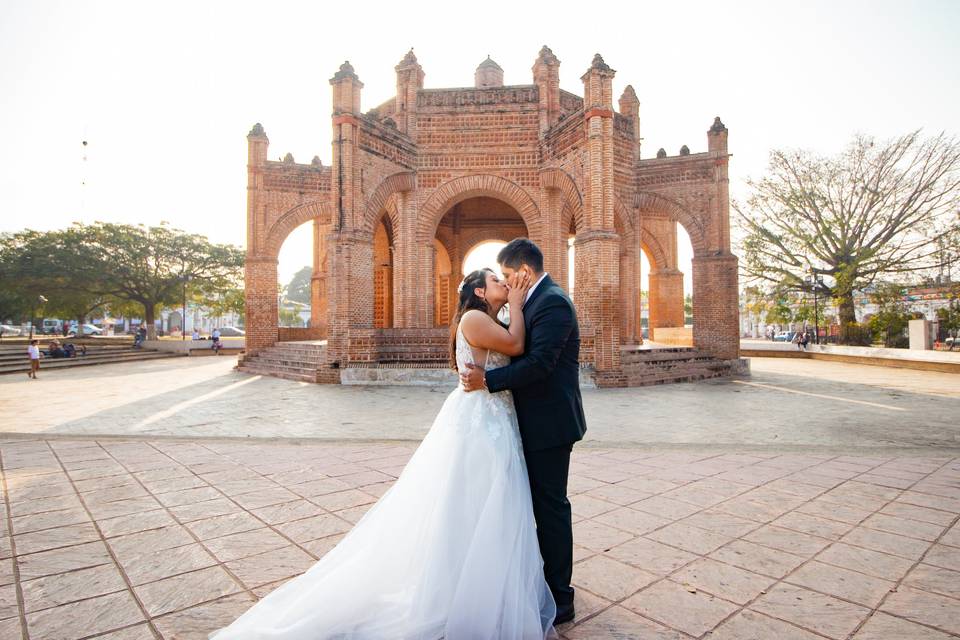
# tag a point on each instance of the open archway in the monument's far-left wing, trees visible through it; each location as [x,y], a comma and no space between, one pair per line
[295,272]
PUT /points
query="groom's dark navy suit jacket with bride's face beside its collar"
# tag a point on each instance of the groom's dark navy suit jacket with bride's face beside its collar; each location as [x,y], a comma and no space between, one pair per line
[545,380]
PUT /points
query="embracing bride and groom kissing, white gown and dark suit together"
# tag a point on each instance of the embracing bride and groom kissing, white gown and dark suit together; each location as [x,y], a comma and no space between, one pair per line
[474,539]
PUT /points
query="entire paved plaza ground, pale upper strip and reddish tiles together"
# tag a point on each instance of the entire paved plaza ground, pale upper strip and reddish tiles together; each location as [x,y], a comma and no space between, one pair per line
[812,500]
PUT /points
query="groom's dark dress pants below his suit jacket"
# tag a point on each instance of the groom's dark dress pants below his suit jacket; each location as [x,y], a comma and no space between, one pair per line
[548,470]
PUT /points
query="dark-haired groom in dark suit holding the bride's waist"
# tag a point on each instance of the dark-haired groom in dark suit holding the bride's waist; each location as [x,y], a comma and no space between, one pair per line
[545,382]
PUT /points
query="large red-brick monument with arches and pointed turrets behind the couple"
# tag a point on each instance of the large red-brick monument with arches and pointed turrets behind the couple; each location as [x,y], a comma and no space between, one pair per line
[418,181]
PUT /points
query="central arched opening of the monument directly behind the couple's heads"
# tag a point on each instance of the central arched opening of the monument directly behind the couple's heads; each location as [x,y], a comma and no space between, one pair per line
[468,225]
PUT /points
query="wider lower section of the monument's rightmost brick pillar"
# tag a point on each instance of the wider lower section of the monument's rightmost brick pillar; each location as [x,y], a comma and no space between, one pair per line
[716,314]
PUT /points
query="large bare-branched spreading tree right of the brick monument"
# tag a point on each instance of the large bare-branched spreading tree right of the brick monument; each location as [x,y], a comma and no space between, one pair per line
[875,210]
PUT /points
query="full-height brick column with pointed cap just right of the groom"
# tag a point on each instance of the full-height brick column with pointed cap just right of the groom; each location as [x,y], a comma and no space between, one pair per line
[598,246]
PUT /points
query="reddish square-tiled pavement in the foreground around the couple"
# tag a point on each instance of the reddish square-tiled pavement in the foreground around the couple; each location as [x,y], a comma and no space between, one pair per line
[173,539]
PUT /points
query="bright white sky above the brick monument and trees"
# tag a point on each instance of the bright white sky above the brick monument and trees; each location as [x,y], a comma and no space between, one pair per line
[165,93]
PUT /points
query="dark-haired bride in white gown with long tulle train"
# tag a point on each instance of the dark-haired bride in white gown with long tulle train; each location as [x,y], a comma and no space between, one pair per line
[450,550]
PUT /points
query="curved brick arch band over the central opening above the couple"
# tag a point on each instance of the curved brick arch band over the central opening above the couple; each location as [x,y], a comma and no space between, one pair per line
[459,189]
